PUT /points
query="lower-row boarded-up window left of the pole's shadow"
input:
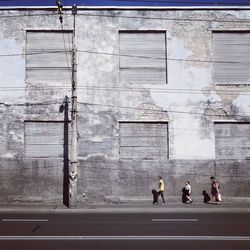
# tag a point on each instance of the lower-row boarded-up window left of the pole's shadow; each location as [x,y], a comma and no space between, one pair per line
[45,139]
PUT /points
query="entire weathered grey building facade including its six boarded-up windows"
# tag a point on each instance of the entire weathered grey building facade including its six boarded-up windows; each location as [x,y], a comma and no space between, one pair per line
[161,91]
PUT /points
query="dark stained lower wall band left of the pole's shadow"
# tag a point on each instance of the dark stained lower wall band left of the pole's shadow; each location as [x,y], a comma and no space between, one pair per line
[31,180]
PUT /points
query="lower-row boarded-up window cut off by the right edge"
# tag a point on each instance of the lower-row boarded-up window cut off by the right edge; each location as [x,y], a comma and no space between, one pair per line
[232,140]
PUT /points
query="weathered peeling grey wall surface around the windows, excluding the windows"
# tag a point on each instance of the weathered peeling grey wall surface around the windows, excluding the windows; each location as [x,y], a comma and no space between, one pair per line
[190,102]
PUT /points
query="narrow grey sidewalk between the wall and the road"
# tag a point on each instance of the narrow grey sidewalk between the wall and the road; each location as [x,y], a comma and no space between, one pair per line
[128,207]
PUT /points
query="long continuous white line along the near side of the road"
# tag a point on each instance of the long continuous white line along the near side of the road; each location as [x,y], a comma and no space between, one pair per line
[117,238]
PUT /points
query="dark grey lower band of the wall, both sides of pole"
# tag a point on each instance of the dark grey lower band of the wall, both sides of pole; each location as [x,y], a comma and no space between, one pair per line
[103,180]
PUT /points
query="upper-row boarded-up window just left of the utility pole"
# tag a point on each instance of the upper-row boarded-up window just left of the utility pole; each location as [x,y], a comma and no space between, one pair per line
[48,57]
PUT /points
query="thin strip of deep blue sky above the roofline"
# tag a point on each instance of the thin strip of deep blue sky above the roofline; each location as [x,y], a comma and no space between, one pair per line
[127,2]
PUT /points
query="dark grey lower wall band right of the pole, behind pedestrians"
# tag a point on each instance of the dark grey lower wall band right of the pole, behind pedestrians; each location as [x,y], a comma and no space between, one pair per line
[129,179]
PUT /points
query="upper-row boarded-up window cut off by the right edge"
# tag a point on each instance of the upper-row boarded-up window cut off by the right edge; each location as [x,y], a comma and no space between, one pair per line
[231,57]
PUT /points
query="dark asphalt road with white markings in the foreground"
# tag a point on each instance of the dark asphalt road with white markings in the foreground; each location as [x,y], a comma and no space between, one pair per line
[196,231]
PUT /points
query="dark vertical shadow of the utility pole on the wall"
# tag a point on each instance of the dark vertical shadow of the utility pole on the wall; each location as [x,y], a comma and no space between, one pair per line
[65,108]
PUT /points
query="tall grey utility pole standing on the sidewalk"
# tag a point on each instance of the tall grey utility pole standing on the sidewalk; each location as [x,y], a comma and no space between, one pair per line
[73,158]
